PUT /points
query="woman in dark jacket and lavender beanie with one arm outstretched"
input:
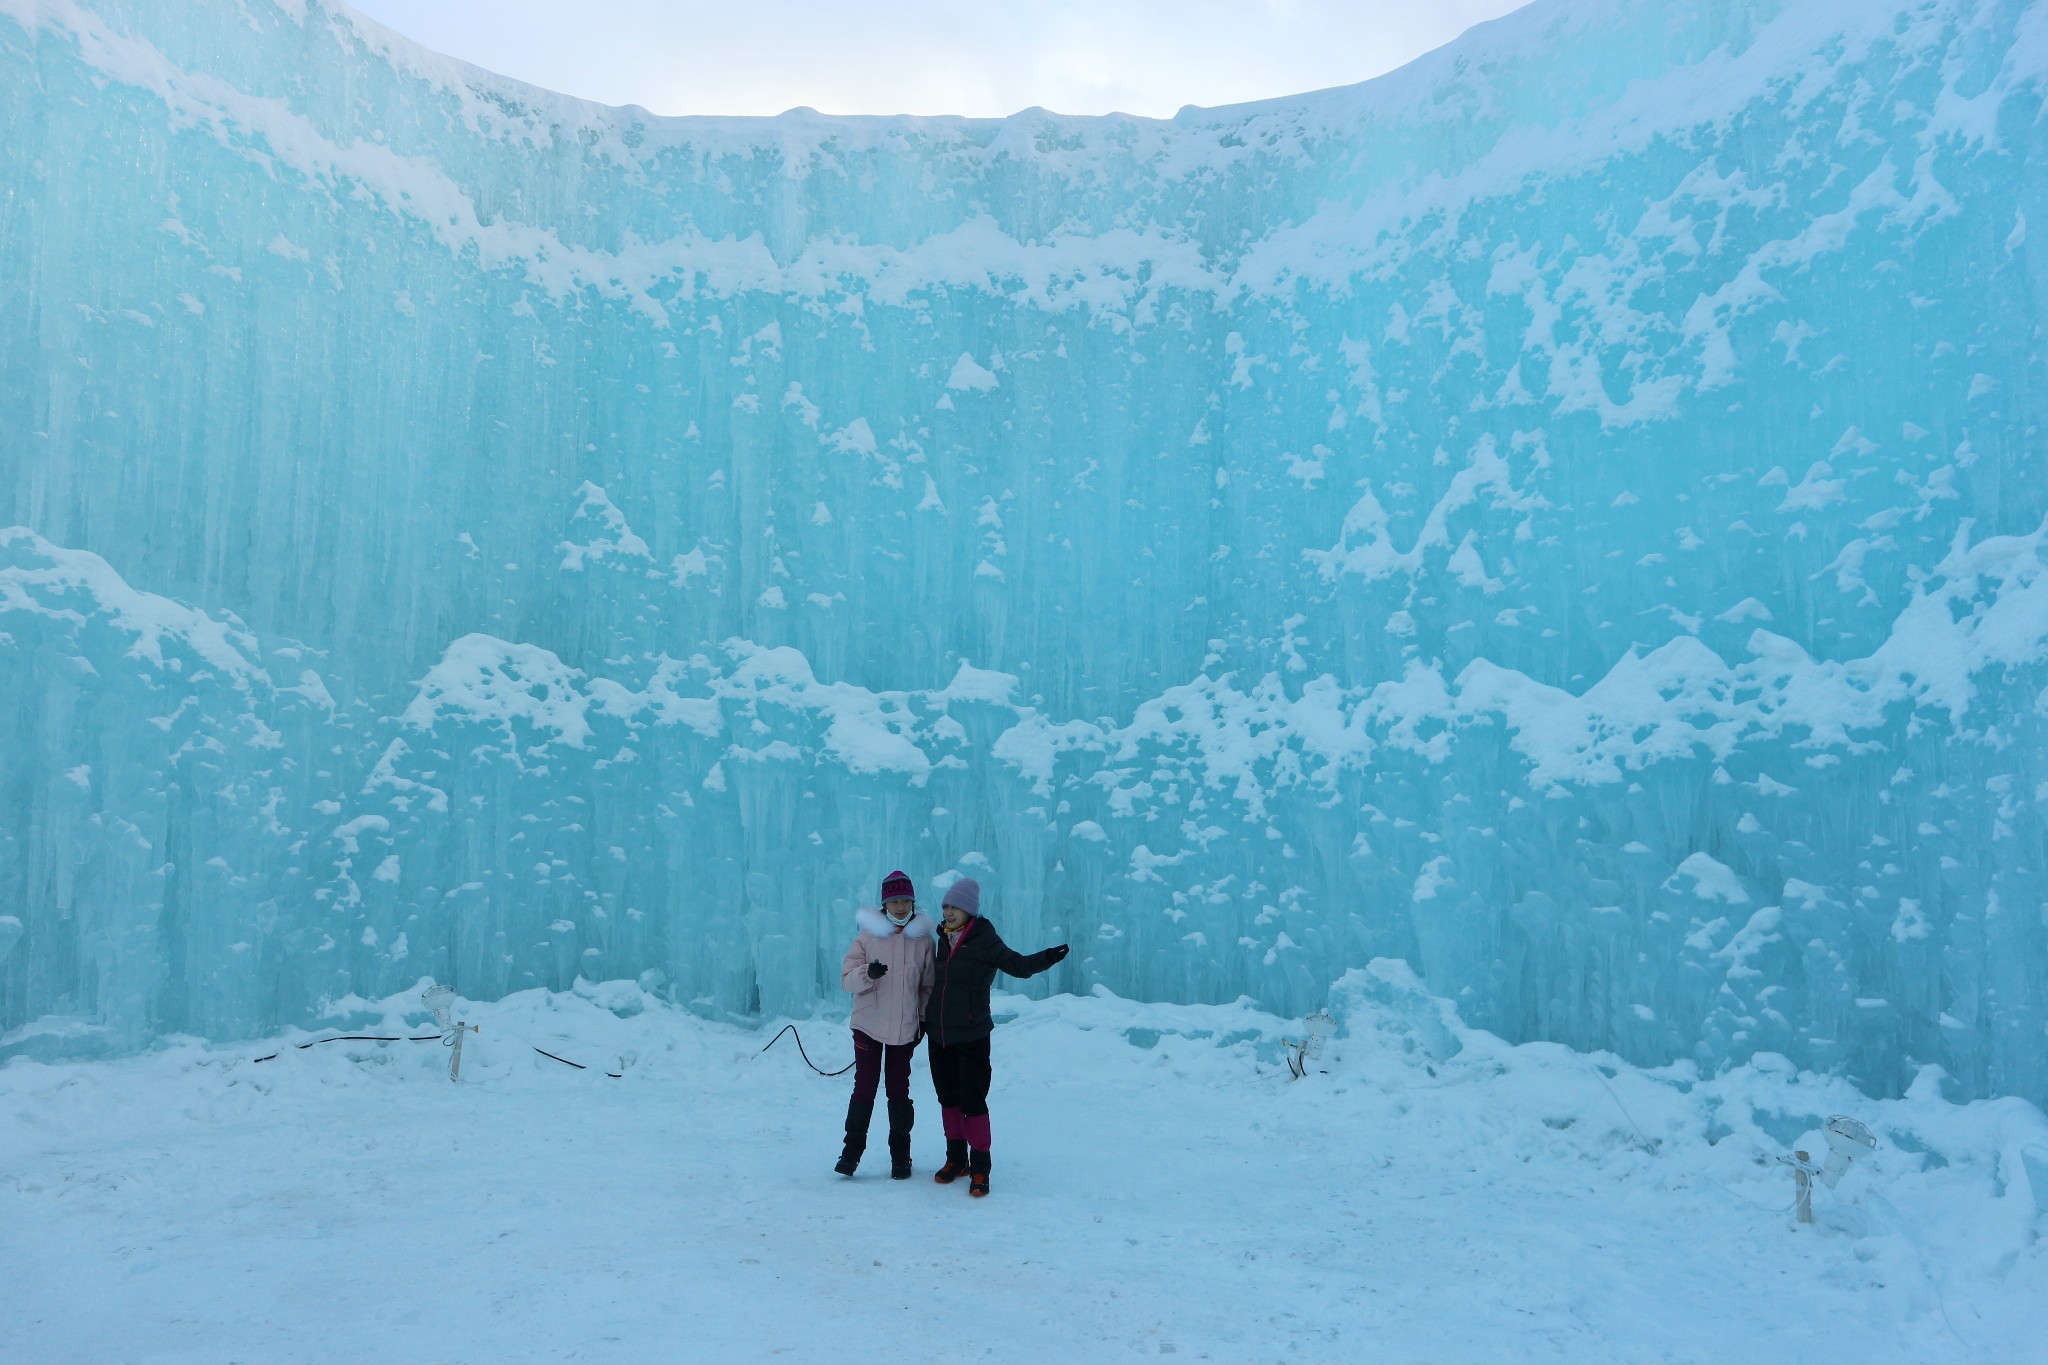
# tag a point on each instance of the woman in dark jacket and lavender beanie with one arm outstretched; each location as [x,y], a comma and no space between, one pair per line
[957,1026]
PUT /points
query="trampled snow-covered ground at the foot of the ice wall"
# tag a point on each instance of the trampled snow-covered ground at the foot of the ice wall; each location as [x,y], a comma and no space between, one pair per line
[1162,1188]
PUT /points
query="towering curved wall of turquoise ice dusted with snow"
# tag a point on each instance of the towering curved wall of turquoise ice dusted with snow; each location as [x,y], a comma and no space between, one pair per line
[1566,515]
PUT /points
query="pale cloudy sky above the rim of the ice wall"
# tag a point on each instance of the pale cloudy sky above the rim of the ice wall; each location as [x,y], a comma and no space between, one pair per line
[982,58]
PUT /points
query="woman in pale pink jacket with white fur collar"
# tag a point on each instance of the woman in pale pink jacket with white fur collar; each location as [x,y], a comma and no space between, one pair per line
[890,975]
